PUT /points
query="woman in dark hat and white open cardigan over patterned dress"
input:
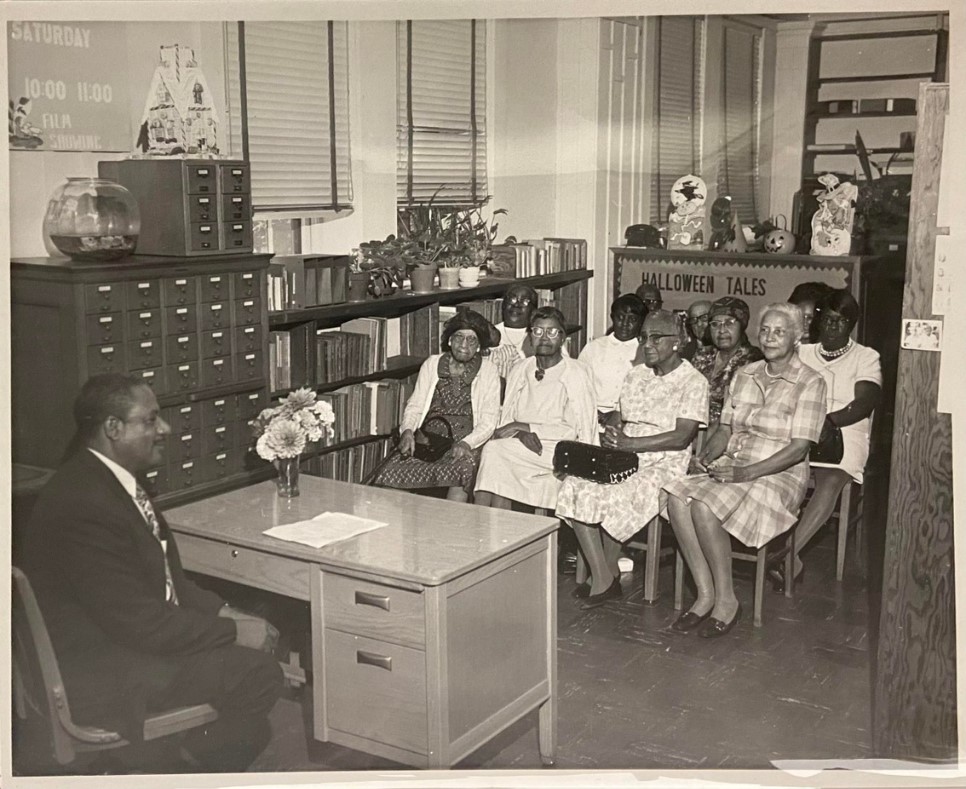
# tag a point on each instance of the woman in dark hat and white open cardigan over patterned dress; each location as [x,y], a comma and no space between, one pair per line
[457,393]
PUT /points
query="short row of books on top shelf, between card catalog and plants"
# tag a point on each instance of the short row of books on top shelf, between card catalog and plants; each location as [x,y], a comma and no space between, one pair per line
[297,281]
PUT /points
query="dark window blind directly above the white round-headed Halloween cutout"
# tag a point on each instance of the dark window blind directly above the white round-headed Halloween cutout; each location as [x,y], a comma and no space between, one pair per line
[677,145]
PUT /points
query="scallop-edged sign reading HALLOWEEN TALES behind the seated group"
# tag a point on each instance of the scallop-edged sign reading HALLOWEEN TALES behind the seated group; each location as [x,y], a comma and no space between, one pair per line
[686,277]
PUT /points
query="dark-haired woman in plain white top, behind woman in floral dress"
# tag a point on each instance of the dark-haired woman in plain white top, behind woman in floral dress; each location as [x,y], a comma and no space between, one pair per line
[610,358]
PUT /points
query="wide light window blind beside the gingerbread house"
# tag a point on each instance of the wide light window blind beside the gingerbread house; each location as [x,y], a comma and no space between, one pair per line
[295,130]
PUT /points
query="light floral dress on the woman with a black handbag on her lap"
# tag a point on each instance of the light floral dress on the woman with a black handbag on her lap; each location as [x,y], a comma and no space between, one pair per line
[650,404]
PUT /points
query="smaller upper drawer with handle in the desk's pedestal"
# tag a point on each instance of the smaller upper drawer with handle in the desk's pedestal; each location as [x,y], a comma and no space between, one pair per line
[373,609]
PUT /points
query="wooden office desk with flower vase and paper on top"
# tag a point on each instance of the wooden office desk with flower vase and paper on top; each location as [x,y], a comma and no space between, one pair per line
[429,636]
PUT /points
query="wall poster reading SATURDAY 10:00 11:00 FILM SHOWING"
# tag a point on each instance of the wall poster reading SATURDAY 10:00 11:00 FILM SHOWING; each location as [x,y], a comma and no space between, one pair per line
[67,83]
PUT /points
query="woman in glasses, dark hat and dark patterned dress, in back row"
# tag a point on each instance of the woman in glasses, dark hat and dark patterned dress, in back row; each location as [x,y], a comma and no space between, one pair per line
[729,349]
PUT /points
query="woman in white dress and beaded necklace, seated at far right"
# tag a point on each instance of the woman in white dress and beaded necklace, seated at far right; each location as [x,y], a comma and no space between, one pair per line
[853,379]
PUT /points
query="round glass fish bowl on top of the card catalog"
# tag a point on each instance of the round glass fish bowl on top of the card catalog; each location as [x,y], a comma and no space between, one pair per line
[92,219]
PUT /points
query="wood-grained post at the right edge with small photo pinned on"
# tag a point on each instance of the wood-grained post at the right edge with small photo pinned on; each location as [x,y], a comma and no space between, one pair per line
[914,710]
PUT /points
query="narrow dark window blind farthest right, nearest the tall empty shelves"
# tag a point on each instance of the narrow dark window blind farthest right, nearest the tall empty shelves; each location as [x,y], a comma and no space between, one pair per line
[742,99]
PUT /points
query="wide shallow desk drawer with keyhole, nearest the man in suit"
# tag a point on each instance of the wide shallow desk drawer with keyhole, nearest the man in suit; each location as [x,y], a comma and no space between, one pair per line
[288,577]
